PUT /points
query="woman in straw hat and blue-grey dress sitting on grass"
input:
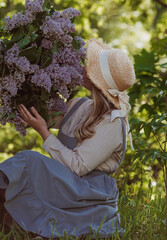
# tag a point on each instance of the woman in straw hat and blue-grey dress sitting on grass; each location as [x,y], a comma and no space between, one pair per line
[73,190]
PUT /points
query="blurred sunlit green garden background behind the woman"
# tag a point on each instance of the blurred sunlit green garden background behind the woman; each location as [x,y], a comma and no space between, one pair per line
[140,28]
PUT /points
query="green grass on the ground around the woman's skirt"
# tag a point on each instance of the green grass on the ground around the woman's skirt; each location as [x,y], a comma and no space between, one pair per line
[142,217]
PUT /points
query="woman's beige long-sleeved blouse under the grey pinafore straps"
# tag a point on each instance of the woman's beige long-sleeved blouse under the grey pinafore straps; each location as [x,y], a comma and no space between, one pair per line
[101,152]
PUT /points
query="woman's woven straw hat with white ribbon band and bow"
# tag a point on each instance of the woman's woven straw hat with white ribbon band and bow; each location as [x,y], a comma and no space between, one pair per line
[110,70]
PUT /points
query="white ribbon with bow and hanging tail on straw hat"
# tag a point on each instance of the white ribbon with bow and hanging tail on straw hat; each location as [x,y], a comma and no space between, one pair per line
[122,95]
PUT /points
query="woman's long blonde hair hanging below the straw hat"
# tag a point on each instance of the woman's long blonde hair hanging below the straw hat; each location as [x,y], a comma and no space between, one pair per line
[101,107]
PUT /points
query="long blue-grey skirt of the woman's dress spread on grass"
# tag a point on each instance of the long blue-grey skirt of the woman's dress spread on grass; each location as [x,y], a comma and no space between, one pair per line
[45,197]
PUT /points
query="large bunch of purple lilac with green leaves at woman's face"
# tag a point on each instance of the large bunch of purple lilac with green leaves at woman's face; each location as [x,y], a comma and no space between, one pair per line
[41,61]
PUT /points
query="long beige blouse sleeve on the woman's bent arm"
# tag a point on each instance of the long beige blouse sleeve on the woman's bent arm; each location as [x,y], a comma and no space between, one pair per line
[91,152]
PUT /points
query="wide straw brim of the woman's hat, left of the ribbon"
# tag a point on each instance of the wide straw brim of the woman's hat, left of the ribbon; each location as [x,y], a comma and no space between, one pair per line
[93,71]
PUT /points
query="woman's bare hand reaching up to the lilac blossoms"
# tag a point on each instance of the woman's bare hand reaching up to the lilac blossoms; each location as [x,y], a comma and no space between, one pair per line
[36,121]
